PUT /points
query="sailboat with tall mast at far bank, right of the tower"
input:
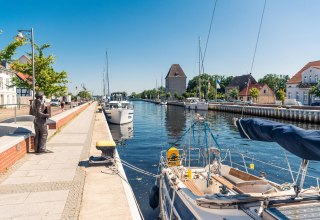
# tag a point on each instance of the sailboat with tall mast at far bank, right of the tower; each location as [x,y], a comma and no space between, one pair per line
[194,103]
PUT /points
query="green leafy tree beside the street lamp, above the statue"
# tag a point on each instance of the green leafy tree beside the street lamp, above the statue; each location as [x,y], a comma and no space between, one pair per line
[47,79]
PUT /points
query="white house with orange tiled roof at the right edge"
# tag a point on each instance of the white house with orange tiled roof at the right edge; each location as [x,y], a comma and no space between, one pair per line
[299,85]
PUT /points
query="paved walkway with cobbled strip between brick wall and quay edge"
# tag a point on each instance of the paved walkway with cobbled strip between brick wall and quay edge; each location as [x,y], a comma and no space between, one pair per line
[49,186]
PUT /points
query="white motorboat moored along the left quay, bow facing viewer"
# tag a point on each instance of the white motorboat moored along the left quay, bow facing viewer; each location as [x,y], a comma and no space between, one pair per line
[119,110]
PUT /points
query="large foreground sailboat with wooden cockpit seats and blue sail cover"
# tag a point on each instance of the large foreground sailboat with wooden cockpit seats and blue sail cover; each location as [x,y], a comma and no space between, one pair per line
[214,189]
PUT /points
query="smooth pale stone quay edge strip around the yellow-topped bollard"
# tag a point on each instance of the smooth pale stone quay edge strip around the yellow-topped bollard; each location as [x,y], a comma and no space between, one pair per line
[106,195]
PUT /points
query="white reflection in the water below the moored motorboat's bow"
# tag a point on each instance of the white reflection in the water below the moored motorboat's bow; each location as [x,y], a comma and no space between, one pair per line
[121,133]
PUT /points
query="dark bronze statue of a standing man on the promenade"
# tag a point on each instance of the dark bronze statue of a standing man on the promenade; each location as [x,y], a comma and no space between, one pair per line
[40,126]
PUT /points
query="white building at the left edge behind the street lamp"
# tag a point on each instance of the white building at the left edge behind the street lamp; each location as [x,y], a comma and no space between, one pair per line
[7,94]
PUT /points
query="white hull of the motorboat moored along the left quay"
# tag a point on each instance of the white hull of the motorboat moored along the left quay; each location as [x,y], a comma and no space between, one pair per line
[119,116]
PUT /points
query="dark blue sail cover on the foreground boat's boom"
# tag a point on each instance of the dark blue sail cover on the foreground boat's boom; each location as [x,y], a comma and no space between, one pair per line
[302,143]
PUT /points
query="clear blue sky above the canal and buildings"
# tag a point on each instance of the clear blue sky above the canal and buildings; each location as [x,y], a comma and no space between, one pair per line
[145,37]
